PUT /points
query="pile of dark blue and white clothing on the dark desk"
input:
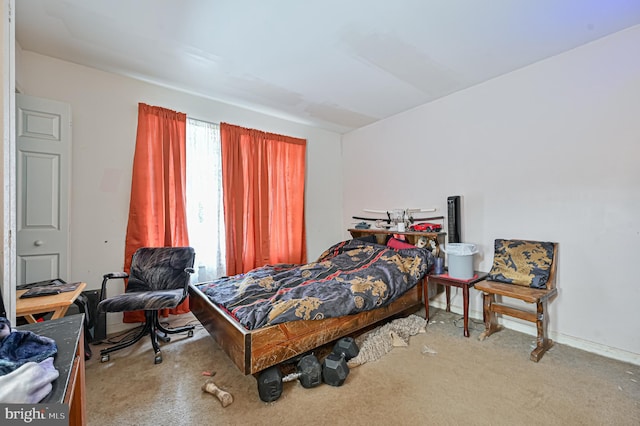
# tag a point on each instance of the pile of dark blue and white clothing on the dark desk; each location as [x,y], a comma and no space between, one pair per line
[26,365]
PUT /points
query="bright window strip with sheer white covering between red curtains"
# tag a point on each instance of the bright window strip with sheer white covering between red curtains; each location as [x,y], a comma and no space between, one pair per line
[205,214]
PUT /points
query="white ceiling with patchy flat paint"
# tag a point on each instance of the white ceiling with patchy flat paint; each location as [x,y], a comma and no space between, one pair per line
[334,64]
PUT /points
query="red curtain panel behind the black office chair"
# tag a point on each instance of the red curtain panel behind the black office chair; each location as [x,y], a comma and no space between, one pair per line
[157,210]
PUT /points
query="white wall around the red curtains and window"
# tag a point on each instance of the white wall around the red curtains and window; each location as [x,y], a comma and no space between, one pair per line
[104,113]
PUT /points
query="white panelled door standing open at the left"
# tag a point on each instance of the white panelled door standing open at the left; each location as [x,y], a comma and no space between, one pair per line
[43,147]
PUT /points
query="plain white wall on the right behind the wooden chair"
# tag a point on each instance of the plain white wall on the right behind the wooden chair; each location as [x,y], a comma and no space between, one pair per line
[549,152]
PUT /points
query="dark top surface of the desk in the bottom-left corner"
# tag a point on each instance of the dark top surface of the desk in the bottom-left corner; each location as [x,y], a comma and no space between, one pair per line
[66,332]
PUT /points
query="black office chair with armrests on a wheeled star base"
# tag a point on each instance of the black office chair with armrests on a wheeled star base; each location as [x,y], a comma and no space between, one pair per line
[158,279]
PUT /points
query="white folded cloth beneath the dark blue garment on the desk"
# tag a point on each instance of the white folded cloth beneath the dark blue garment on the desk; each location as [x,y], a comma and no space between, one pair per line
[29,383]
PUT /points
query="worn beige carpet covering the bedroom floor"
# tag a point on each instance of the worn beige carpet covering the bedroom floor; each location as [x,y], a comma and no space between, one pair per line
[441,378]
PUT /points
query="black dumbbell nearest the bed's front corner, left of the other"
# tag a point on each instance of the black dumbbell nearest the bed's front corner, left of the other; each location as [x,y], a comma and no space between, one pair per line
[309,372]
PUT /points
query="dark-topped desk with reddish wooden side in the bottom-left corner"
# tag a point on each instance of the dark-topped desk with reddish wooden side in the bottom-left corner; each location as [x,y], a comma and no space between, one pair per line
[69,387]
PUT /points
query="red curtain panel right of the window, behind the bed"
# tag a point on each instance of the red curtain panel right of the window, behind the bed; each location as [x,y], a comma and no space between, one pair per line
[263,178]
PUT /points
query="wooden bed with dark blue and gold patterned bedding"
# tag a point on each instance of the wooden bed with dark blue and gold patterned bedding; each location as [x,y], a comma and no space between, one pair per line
[257,342]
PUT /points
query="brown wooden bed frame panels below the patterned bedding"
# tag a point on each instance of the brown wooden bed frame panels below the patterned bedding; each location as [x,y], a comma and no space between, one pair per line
[255,350]
